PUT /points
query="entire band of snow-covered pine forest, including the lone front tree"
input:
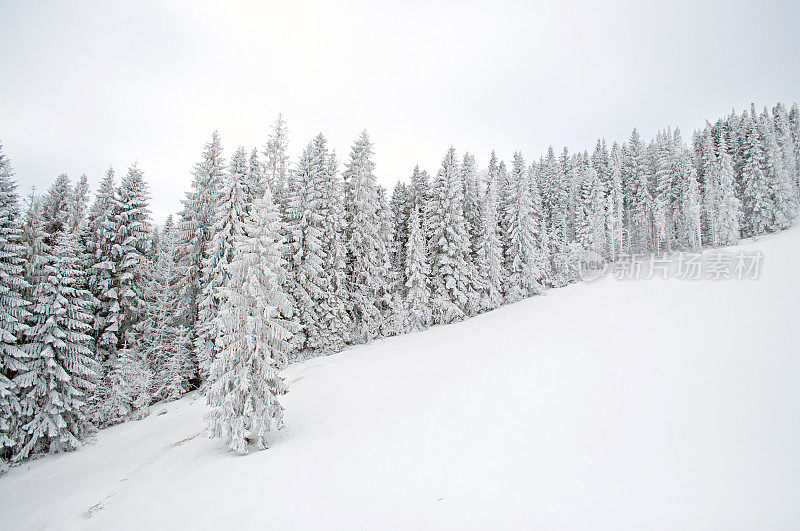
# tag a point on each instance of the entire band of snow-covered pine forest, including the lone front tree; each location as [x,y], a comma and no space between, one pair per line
[102,312]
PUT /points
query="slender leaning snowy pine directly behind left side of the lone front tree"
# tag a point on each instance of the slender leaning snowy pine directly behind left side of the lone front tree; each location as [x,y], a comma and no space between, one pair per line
[229,213]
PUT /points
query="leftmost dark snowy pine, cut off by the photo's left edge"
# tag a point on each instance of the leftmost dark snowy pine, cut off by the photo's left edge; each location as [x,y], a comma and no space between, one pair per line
[13,312]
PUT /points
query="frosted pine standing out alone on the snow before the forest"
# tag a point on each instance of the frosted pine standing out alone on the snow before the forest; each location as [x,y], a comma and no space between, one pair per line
[244,383]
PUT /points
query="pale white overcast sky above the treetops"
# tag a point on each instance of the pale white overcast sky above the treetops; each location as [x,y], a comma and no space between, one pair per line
[90,84]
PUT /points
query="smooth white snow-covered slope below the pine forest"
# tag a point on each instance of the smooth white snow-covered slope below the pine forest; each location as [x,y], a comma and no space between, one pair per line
[639,405]
